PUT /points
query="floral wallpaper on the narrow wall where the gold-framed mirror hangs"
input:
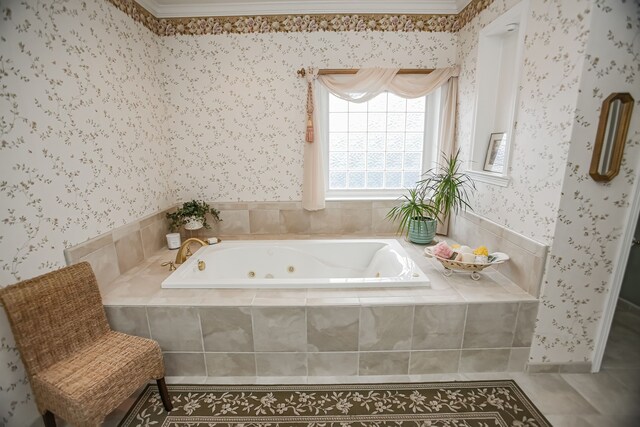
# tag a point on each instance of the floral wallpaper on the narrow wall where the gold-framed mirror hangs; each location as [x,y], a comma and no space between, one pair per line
[591,215]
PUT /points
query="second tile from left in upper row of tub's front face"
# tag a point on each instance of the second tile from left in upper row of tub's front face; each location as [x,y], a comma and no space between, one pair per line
[175,328]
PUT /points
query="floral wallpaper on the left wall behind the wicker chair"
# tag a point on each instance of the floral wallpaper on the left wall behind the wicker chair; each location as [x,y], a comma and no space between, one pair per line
[82,149]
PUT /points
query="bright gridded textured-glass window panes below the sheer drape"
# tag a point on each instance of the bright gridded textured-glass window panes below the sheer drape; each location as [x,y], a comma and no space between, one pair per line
[376,148]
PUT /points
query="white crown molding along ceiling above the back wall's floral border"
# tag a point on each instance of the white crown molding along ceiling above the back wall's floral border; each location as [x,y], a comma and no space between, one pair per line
[289,7]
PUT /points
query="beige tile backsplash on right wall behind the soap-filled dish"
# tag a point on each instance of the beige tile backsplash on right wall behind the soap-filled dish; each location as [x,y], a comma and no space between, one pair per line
[527,257]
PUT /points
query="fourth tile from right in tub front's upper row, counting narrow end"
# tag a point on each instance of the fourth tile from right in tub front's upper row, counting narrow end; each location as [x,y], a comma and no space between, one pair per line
[385,328]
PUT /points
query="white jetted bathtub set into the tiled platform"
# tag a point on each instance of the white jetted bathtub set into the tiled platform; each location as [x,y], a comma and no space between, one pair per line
[271,264]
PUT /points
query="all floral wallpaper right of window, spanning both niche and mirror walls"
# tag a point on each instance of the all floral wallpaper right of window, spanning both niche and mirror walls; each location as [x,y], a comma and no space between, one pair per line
[576,53]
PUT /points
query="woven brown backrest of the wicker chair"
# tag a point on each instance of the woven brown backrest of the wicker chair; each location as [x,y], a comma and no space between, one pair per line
[54,315]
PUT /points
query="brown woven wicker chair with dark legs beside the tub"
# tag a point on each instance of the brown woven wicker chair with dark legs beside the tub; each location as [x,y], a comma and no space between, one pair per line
[78,367]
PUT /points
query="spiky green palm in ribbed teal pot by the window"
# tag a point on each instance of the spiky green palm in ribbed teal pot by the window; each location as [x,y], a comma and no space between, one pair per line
[444,189]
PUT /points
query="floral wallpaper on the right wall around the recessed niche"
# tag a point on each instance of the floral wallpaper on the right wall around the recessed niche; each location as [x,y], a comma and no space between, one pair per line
[554,50]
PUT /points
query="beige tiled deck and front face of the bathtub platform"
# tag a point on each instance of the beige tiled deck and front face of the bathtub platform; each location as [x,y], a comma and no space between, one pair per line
[457,325]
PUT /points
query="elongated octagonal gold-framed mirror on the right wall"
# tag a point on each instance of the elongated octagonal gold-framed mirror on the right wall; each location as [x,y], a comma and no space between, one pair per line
[615,116]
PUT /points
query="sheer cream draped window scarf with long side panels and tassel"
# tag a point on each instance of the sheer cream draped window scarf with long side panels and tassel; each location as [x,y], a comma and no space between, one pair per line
[361,87]
